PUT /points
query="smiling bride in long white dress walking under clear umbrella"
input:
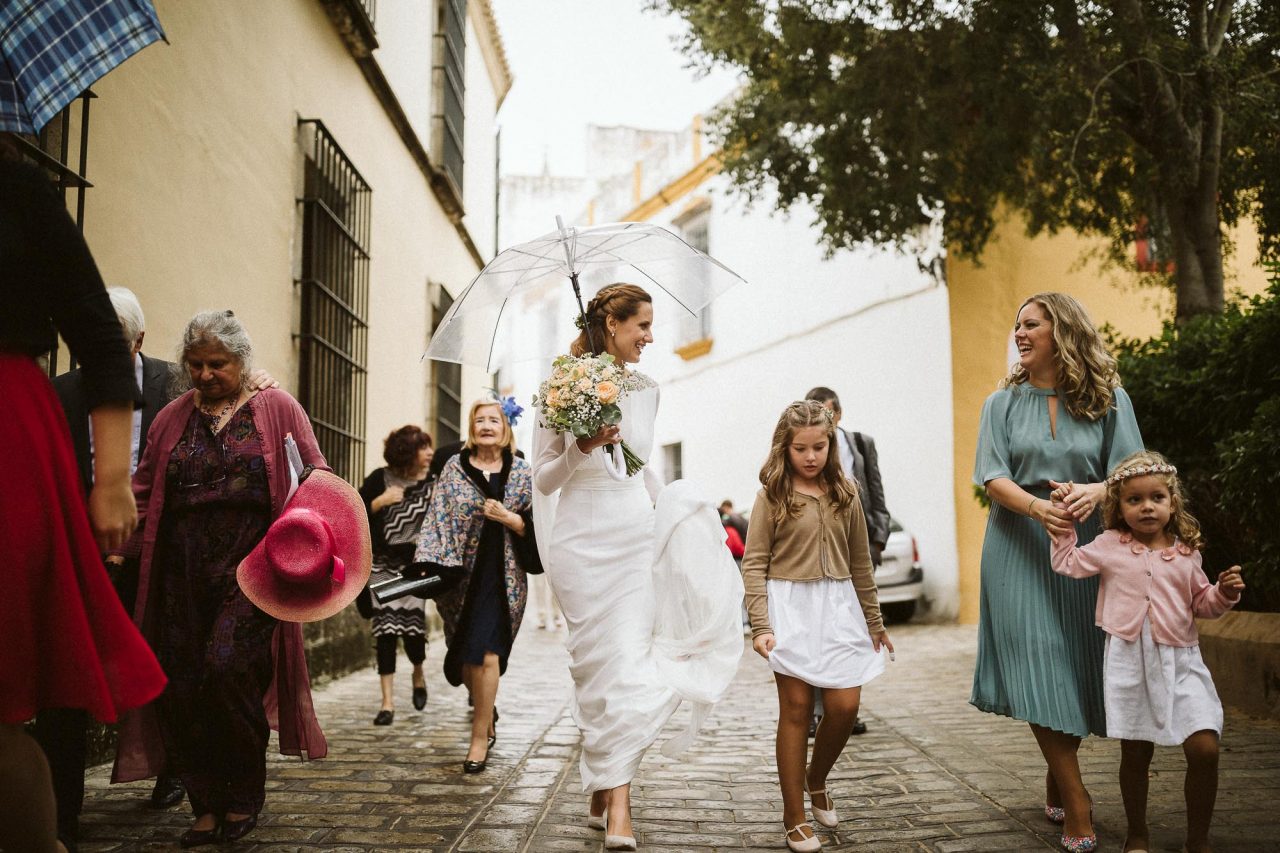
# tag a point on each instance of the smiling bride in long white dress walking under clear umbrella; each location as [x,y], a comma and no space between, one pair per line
[601,559]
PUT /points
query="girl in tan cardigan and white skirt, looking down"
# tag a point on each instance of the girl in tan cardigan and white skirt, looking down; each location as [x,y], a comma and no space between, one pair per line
[813,606]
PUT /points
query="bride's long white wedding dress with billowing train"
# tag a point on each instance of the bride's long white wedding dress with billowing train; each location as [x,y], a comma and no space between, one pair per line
[652,599]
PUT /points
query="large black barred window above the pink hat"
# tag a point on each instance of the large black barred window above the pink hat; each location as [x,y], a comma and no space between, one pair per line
[333,331]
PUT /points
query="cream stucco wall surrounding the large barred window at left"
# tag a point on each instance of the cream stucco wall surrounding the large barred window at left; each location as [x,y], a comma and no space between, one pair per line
[196,163]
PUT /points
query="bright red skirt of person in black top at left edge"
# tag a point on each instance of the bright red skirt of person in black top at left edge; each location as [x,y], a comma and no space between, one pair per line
[66,642]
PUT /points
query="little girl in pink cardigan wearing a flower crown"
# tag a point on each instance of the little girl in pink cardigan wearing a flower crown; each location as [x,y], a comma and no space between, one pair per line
[1156,687]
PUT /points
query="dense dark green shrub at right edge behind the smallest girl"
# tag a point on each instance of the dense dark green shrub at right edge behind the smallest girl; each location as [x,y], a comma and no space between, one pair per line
[1208,396]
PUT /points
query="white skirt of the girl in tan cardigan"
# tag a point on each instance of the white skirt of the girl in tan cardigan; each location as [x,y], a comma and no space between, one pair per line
[821,635]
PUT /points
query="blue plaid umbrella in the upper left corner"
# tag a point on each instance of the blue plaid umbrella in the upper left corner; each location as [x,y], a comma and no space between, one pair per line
[53,51]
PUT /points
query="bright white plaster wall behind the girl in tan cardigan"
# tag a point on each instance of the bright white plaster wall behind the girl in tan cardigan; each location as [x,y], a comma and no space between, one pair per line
[868,325]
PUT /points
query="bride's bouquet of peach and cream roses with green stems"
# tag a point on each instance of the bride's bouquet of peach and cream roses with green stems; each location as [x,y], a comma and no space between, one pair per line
[582,396]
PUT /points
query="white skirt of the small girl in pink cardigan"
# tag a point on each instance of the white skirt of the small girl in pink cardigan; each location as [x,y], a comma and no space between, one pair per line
[1158,694]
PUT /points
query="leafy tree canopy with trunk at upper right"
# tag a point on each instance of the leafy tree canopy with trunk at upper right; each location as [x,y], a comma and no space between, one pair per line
[1087,116]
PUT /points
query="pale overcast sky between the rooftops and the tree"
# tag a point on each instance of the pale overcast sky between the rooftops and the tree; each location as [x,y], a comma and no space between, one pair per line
[592,62]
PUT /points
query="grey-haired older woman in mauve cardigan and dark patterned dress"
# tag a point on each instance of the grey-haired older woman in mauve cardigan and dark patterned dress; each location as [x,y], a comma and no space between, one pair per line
[214,477]
